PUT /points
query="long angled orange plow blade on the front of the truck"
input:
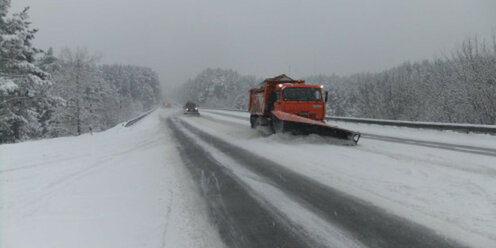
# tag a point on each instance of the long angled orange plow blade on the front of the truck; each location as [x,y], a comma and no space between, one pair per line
[294,124]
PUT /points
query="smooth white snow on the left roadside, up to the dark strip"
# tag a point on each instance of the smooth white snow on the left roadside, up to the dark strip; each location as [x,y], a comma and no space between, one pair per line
[124,187]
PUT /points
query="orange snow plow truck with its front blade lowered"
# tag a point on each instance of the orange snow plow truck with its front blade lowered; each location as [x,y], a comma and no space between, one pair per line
[292,106]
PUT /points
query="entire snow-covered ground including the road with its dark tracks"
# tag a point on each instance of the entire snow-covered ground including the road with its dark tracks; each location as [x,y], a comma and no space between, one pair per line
[178,181]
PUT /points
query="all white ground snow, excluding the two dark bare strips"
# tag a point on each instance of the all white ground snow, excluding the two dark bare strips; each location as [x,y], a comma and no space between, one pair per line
[128,187]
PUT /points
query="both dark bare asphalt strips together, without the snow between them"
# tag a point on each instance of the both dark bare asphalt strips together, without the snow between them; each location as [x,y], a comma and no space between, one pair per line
[370,225]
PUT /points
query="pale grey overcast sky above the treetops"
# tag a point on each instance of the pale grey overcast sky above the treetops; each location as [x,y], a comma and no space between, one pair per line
[179,38]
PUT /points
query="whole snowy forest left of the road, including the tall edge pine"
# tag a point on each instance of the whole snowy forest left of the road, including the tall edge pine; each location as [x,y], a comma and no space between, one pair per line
[43,95]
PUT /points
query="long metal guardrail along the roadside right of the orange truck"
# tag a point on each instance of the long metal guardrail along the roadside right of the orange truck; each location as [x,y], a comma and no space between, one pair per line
[466,128]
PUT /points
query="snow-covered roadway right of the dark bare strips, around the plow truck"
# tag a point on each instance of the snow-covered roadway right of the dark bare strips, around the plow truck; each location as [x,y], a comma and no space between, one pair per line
[452,192]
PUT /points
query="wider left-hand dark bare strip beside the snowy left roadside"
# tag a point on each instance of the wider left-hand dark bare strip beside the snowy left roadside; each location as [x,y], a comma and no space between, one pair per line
[241,220]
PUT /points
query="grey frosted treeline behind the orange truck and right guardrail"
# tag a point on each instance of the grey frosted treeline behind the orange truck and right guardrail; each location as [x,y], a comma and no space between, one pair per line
[458,88]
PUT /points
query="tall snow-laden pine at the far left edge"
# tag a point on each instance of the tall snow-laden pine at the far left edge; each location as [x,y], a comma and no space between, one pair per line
[23,85]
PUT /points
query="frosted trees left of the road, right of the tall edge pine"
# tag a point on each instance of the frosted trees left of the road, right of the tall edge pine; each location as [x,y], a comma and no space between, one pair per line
[96,97]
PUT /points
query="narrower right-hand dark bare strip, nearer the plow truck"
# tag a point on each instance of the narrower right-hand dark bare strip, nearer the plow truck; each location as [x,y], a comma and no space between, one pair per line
[369,224]
